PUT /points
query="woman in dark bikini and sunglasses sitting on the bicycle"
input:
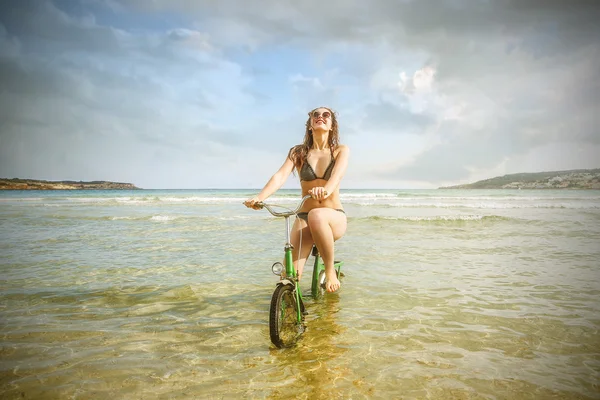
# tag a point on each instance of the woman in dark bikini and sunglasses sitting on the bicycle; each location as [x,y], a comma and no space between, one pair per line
[321,163]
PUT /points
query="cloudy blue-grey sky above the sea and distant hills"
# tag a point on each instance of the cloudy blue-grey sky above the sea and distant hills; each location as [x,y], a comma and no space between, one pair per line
[174,94]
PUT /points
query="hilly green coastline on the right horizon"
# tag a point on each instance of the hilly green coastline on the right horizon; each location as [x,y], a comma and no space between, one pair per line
[571,179]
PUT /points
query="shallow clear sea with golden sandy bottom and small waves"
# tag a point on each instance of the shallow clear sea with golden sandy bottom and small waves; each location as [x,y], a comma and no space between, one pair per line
[164,294]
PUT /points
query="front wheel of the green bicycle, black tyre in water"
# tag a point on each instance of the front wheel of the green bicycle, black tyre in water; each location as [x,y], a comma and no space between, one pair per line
[284,326]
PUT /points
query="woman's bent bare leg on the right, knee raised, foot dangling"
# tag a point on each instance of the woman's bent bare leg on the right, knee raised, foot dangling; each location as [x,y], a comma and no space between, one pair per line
[326,226]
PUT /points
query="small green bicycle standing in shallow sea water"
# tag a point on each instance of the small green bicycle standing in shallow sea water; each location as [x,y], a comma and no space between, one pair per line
[287,312]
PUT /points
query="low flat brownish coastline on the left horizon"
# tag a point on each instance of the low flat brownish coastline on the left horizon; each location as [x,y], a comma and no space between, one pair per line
[36,184]
